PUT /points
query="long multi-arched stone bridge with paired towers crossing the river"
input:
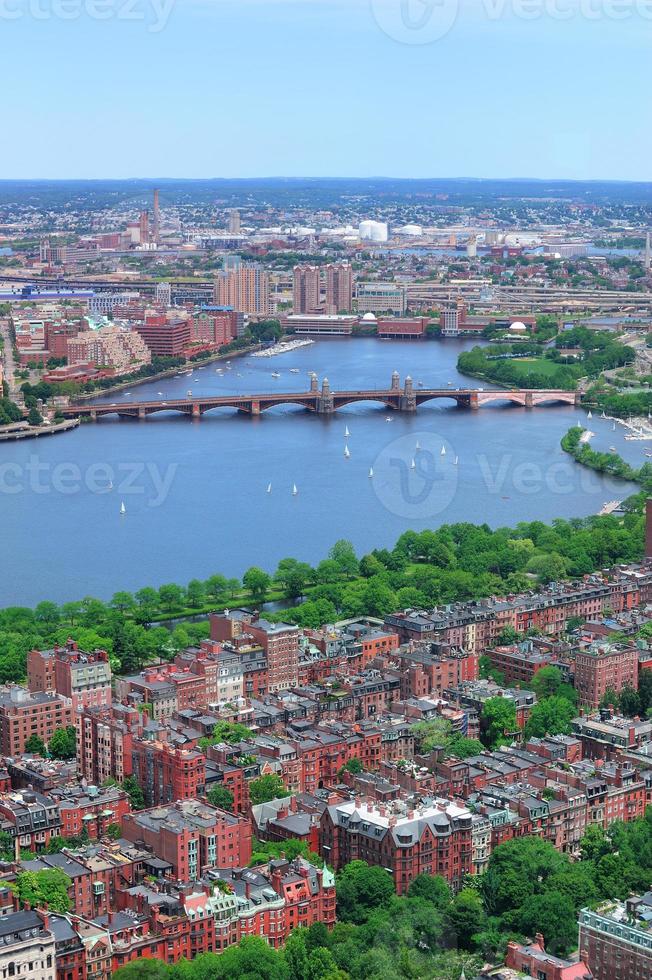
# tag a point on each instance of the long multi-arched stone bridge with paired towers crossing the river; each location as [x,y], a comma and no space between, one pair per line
[323,401]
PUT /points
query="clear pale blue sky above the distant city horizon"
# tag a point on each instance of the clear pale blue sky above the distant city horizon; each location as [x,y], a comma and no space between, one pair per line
[240,88]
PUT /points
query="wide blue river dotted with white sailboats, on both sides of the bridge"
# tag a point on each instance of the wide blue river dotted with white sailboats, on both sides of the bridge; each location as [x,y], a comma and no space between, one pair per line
[196,491]
